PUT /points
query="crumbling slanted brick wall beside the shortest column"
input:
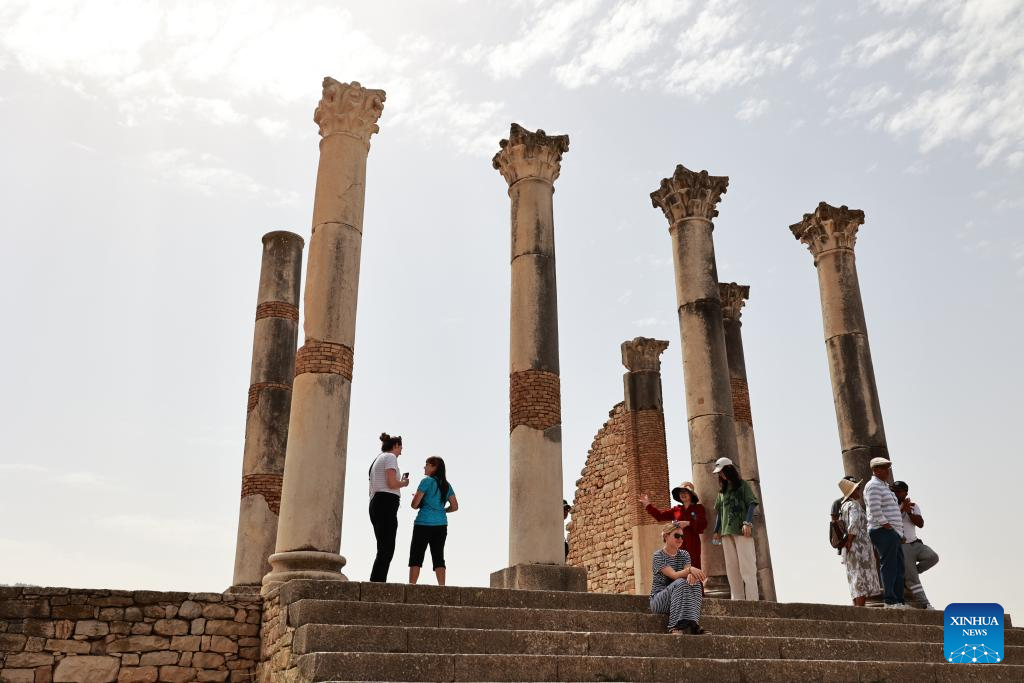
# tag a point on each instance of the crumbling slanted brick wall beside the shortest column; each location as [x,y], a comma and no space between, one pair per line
[601,539]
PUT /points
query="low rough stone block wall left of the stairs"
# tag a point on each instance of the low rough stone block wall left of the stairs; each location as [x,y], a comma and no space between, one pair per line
[63,635]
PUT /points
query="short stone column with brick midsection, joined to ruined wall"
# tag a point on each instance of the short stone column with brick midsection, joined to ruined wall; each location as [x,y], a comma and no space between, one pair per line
[649,462]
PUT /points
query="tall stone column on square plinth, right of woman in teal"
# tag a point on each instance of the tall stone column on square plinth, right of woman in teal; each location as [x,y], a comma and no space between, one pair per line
[531,163]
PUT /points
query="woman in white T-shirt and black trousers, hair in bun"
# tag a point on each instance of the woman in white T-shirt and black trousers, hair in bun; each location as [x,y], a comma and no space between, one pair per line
[385,488]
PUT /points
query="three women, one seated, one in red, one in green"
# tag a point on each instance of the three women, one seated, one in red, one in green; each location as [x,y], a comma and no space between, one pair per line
[677,587]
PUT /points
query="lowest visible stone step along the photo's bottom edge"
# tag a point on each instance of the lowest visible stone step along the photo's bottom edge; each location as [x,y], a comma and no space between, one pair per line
[377,667]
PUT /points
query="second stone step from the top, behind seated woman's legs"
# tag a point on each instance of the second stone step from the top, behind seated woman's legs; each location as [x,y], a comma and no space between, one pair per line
[564,621]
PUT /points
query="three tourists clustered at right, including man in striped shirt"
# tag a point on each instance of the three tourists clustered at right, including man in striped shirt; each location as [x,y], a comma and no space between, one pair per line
[883,522]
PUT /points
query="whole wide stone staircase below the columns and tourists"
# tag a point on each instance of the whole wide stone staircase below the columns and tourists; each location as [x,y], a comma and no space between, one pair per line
[328,631]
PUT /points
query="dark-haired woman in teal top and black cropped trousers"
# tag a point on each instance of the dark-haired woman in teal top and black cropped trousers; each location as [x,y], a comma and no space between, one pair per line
[435,499]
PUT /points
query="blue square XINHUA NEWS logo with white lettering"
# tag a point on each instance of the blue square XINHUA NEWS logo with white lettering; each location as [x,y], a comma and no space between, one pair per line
[974,633]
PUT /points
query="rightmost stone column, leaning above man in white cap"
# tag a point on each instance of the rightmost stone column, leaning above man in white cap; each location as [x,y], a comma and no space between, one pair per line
[831,235]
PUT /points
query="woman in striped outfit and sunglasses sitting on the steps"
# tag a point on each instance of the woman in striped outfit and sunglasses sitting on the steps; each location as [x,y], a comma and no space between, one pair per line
[677,586]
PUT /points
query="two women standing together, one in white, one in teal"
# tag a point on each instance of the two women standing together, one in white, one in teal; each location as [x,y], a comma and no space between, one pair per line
[435,500]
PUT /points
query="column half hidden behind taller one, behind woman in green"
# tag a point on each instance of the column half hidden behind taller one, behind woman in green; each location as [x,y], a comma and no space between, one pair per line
[734,297]
